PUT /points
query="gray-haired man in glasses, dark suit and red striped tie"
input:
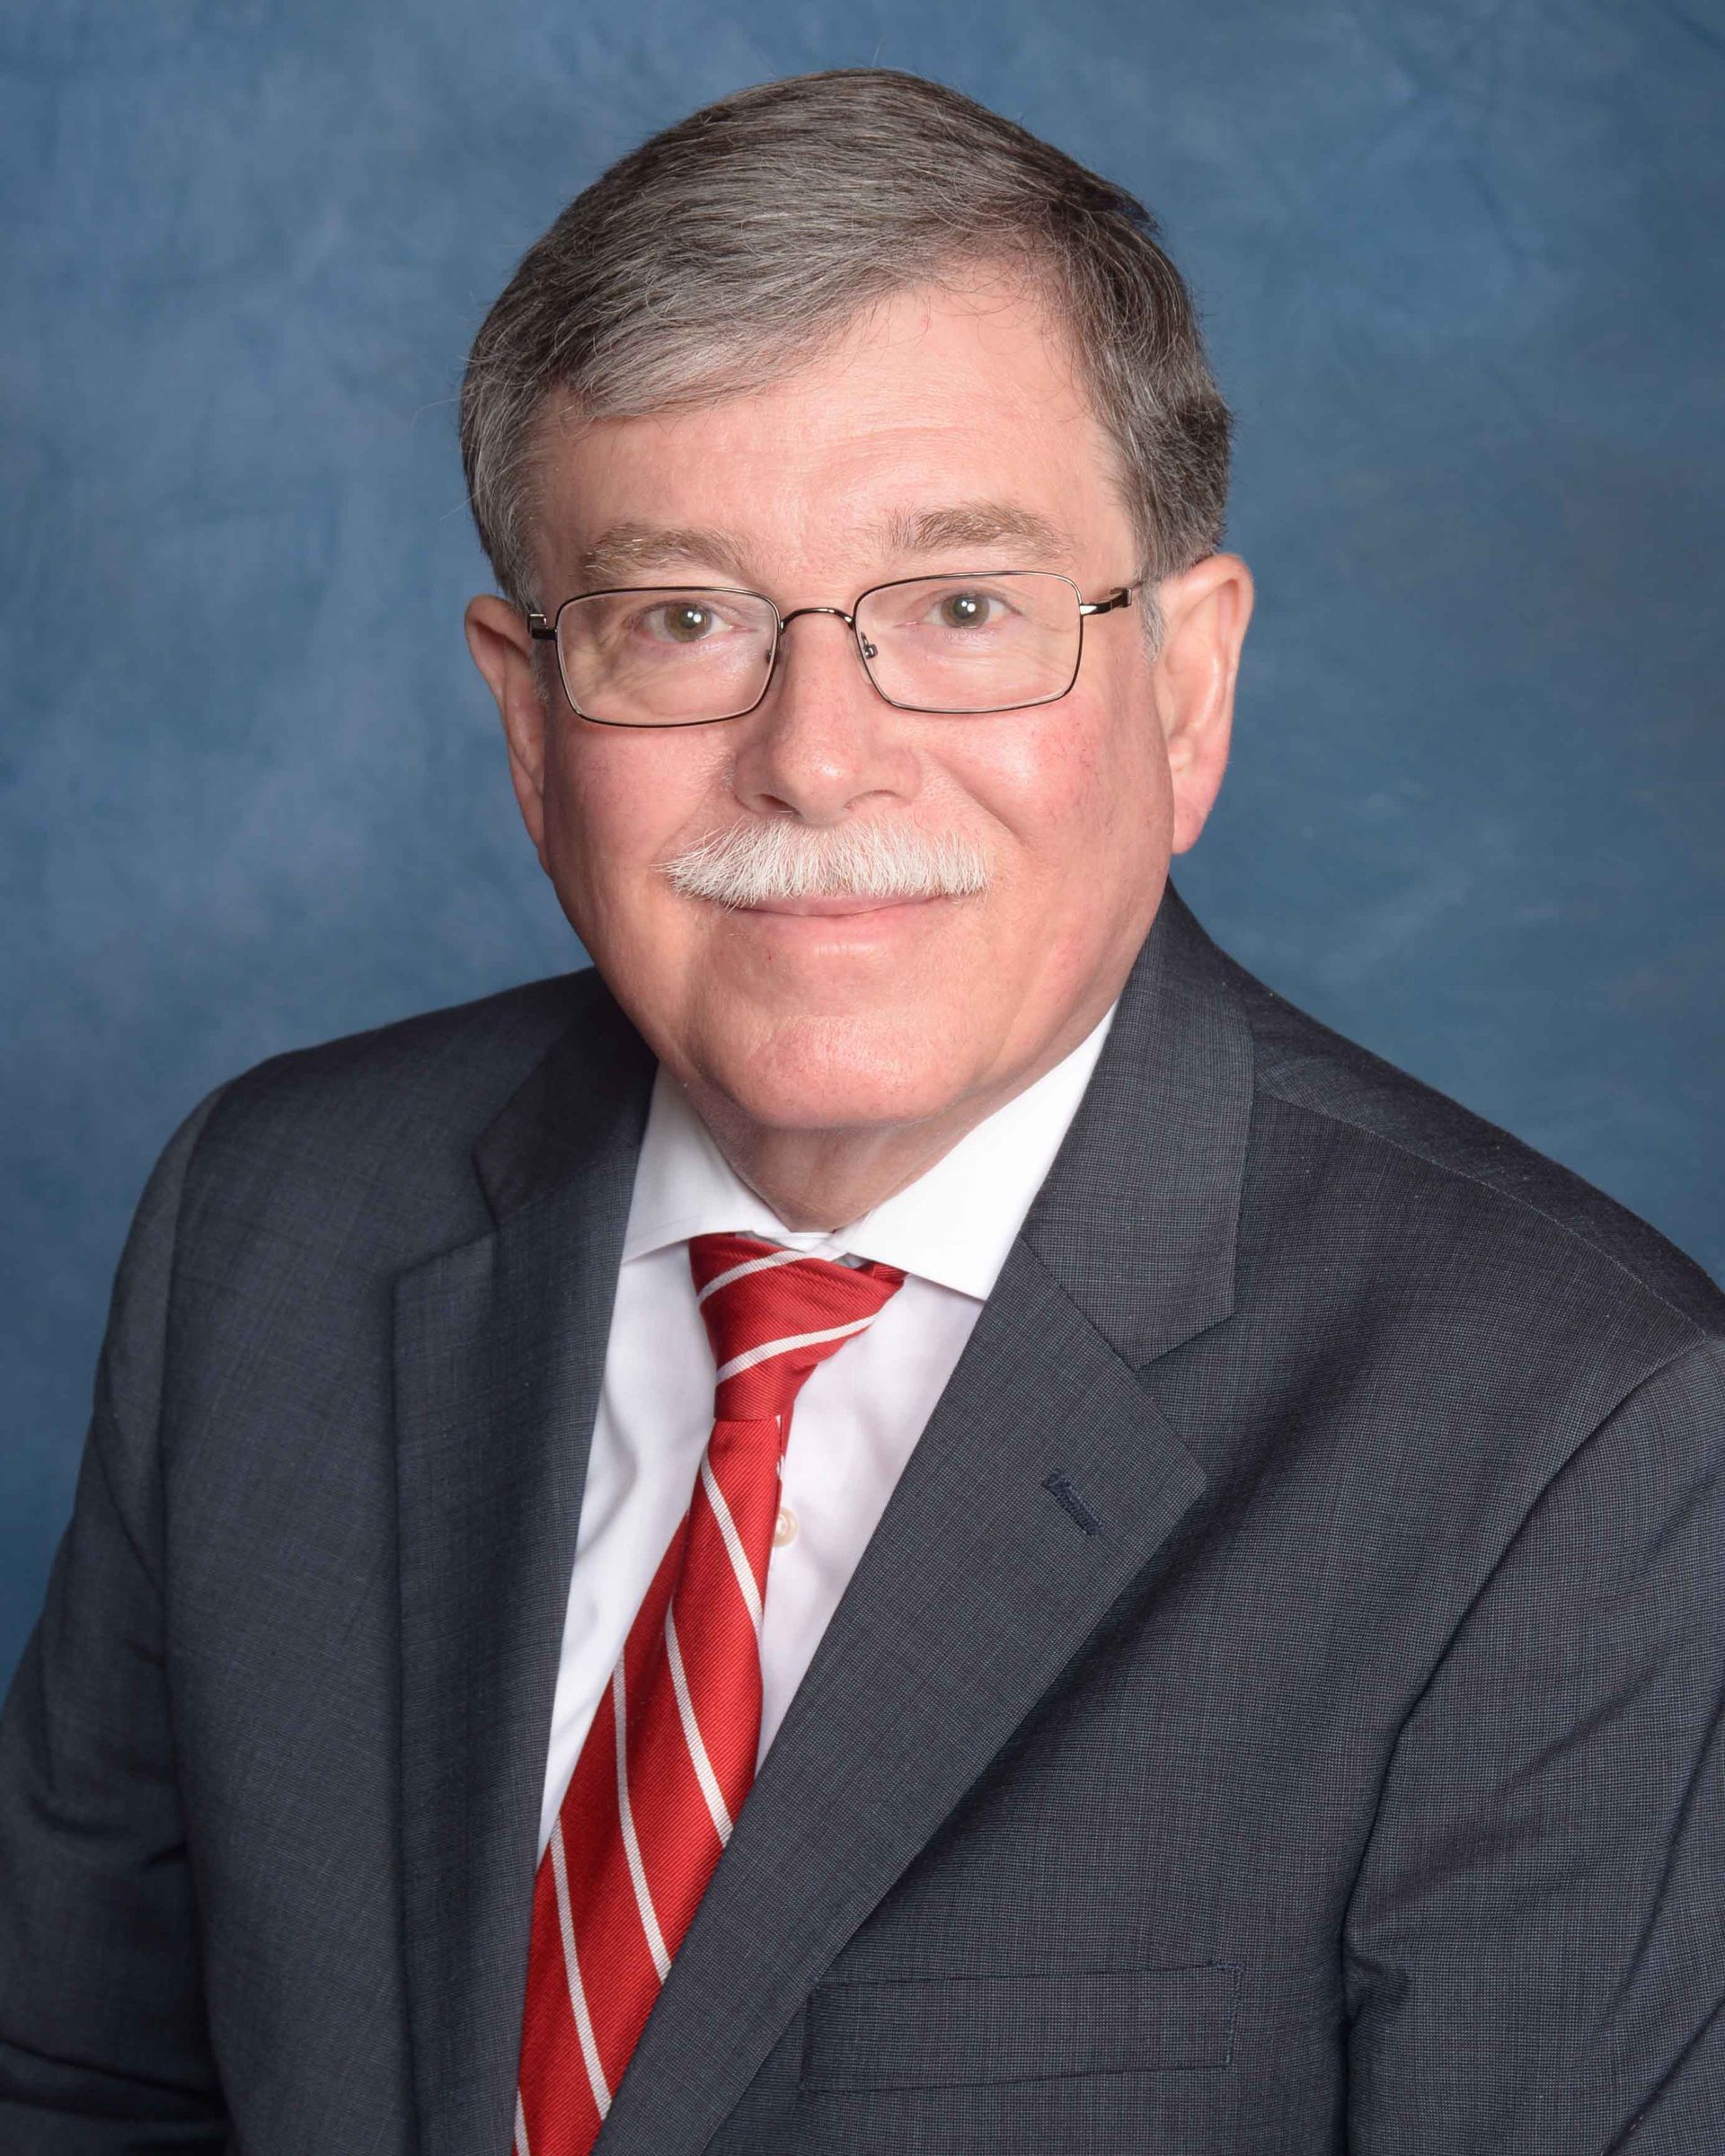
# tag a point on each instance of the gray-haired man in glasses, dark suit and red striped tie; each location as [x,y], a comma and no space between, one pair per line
[911,1517]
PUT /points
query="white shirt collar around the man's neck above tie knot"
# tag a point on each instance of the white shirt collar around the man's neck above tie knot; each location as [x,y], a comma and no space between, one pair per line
[954,1226]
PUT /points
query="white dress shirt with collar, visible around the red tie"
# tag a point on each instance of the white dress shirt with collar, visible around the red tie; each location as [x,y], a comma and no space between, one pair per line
[857,1418]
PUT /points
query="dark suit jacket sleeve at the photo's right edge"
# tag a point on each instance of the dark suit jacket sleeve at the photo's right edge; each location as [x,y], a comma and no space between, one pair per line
[1536,1937]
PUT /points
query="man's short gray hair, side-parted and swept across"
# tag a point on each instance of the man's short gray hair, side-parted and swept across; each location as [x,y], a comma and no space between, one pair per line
[739,243]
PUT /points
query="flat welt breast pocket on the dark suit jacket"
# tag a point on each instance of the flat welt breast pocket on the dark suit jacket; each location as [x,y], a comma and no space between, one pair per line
[952,2032]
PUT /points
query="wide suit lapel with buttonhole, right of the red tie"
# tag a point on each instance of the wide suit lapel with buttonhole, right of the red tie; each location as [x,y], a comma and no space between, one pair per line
[1043,1487]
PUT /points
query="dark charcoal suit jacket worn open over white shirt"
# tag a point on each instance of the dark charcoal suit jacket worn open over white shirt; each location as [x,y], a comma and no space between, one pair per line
[1278,1713]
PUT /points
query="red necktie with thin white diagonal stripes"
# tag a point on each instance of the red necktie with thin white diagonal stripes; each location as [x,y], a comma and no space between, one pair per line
[672,1750]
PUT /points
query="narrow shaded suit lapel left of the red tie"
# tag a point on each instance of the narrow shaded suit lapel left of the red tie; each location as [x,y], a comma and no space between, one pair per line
[499,1362]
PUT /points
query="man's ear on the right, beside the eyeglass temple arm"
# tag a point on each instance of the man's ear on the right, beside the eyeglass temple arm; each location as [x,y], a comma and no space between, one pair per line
[1204,611]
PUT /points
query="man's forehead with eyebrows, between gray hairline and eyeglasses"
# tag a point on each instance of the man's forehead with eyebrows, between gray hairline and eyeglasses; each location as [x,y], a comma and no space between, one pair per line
[935,421]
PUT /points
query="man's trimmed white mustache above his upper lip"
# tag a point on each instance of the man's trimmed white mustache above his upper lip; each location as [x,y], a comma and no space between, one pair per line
[782,859]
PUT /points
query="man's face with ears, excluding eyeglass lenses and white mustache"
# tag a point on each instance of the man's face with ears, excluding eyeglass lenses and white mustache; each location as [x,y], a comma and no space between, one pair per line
[943,432]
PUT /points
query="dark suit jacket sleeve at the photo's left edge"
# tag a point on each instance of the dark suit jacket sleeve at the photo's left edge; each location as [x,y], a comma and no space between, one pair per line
[102,2026]
